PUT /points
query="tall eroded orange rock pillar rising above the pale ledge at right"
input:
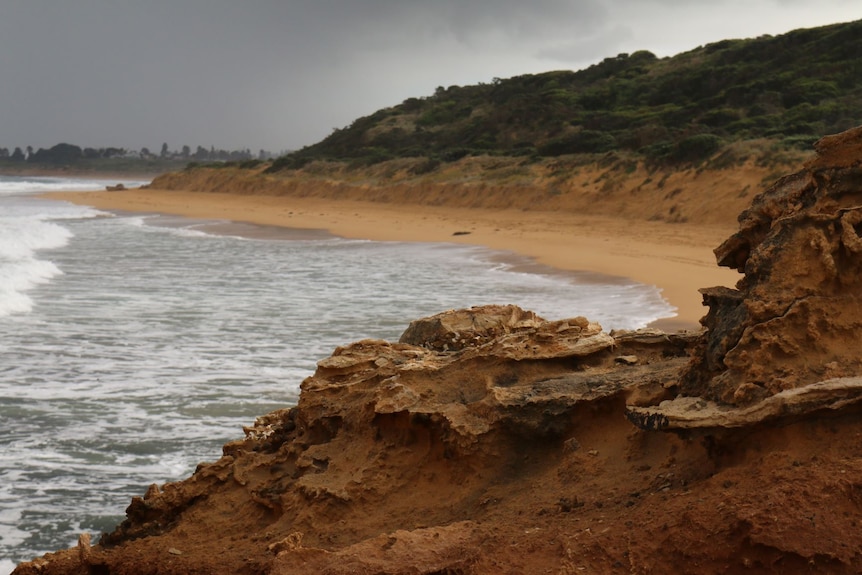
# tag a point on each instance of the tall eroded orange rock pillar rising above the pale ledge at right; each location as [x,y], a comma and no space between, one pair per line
[795,317]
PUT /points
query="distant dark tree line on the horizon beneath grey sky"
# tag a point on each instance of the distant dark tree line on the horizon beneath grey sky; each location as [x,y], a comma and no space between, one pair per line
[68,154]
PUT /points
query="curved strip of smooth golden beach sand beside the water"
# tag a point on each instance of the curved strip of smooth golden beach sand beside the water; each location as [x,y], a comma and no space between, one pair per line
[677,257]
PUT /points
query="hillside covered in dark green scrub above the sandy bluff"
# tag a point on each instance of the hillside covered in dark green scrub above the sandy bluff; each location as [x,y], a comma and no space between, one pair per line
[791,88]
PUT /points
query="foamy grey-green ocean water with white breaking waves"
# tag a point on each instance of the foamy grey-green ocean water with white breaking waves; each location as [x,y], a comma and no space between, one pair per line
[134,346]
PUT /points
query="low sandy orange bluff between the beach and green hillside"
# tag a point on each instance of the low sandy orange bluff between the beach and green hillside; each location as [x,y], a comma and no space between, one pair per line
[614,184]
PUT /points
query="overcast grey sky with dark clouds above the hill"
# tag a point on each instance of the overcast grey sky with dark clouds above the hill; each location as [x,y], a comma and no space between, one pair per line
[280,74]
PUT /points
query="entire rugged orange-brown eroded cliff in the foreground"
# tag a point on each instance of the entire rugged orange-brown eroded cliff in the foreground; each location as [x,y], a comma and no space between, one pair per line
[490,440]
